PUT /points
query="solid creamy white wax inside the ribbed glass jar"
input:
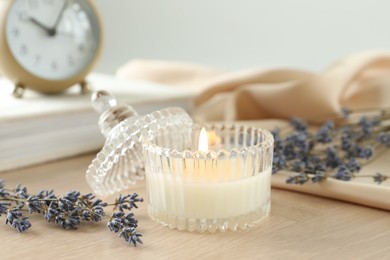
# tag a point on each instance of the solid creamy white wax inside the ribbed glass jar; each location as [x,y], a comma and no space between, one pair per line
[199,199]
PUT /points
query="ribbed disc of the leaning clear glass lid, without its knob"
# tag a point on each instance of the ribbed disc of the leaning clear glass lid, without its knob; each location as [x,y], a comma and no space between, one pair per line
[120,163]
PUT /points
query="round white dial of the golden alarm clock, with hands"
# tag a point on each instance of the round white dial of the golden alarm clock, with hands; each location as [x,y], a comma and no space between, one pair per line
[53,39]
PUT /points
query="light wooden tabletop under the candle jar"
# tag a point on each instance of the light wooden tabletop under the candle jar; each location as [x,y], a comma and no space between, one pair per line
[299,227]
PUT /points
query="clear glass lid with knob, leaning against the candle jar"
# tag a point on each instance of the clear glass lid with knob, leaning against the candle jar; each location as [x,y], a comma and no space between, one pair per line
[120,163]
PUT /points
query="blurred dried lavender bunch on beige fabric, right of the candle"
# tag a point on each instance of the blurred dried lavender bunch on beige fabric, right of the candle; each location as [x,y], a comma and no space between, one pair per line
[331,152]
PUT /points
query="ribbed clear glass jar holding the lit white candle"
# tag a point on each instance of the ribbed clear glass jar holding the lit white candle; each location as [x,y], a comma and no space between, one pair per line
[226,186]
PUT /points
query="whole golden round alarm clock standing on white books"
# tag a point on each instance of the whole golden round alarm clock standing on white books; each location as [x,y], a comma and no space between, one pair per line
[48,45]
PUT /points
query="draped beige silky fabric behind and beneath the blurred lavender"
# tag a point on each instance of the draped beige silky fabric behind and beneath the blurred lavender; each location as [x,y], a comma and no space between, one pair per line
[358,81]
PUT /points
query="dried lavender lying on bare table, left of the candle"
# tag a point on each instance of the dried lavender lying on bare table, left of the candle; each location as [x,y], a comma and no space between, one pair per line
[69,210]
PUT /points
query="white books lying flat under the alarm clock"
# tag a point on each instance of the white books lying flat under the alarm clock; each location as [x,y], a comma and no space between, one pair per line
[39,128]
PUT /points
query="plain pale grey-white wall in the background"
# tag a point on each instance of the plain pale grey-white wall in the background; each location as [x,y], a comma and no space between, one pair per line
[235,34]
